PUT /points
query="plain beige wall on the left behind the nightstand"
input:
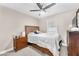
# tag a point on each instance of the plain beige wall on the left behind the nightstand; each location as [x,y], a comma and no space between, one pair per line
[12,23]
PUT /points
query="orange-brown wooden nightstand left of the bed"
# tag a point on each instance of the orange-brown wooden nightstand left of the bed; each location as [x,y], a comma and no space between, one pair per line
[19,43]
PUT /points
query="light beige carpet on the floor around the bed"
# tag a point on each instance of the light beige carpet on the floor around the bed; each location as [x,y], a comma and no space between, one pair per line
[29,51]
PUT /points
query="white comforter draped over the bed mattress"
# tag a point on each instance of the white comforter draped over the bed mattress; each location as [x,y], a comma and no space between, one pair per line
[50,41]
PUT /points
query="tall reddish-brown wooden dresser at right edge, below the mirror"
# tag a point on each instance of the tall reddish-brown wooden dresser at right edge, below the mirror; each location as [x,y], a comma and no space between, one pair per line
[73,43]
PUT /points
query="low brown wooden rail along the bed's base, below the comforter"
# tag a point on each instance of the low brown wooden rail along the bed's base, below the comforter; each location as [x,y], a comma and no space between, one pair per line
[42,49]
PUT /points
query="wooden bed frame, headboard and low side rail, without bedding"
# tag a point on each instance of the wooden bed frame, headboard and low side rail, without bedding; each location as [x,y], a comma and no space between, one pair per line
[29,29]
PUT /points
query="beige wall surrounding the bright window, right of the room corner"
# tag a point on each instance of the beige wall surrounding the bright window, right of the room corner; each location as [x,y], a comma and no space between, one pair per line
[61,20]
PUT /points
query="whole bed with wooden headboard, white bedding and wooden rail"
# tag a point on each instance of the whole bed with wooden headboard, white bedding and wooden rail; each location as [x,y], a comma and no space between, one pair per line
[46,42]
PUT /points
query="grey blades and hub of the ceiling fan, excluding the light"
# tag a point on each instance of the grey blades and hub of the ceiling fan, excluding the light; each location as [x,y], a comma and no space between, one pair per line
[41,8]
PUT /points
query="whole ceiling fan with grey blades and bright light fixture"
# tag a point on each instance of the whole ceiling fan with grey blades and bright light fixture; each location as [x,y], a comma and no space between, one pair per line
[42,8]
